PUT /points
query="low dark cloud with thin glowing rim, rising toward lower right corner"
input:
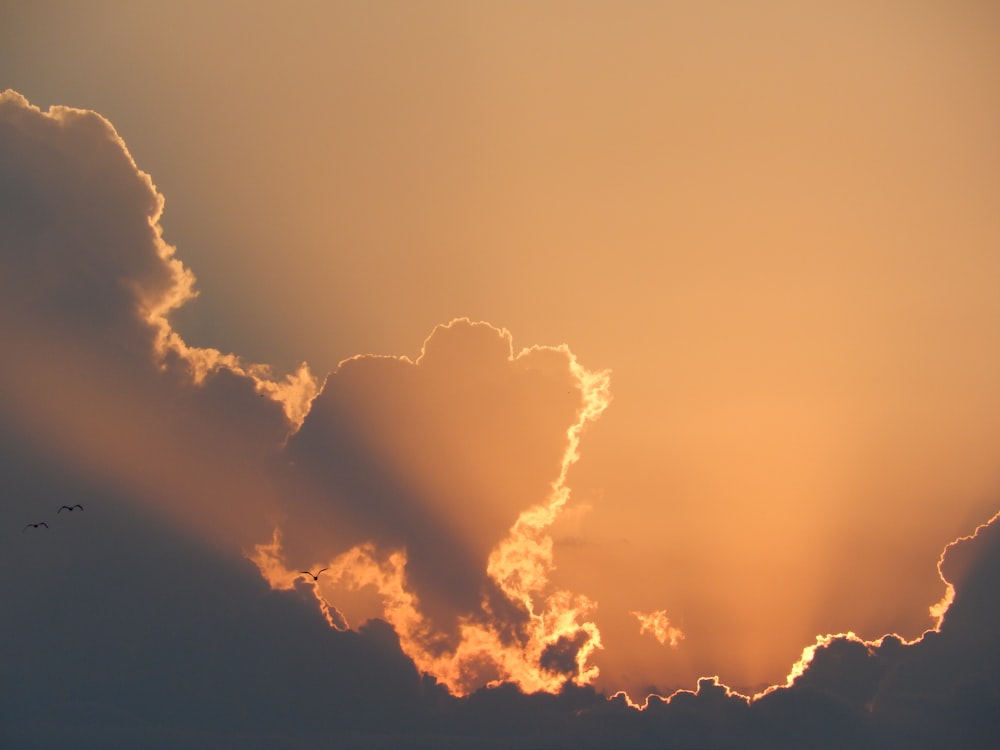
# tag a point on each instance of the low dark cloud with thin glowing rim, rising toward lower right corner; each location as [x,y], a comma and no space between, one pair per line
[938,690]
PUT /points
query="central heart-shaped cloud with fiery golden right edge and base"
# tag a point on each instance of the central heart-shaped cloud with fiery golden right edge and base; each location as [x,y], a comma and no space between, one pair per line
[435,482]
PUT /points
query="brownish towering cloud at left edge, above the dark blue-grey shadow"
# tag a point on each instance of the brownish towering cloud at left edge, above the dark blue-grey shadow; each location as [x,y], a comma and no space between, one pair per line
[93,370]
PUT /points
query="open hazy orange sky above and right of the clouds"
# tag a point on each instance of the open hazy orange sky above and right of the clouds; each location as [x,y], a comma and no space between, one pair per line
[776,224]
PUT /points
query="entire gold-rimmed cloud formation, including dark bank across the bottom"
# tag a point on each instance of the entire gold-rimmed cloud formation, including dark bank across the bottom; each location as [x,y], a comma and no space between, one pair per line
[431,483]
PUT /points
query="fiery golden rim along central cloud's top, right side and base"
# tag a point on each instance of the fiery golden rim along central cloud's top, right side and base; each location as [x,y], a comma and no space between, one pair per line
[519,564]
